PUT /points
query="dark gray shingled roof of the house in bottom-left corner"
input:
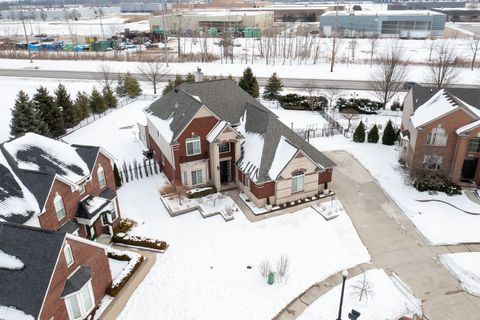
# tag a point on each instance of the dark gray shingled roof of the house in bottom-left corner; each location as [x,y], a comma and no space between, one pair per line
[38,249]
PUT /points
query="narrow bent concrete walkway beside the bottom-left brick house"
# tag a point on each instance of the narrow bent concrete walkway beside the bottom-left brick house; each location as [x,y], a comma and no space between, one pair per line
[119,302]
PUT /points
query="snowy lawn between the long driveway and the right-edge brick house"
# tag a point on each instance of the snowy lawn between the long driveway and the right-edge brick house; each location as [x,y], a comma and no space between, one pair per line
[439,223]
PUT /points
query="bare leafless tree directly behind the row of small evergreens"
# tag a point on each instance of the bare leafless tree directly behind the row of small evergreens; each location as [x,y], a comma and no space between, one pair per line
[390,73]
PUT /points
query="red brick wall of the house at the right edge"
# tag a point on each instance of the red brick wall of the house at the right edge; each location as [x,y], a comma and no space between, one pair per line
[450,123]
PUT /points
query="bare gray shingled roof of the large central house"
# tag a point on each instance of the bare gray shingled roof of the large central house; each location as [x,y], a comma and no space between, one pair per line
[230,103]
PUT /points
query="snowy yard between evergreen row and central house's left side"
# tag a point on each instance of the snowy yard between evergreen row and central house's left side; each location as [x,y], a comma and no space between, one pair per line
[117,133]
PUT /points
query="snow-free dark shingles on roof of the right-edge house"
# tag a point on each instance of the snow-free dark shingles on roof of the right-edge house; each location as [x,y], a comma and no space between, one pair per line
[421,94]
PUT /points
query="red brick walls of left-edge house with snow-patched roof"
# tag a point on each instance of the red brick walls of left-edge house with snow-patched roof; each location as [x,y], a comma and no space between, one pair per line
[48,220]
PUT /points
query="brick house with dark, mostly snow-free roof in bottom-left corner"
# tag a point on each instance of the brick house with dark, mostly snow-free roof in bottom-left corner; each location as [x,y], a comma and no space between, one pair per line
[50,274]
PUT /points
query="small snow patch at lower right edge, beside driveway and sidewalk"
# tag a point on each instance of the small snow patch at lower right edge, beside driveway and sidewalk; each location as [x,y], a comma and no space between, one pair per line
[465,267]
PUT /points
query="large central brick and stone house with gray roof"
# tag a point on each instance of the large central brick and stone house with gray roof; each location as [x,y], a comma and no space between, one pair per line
[213,132]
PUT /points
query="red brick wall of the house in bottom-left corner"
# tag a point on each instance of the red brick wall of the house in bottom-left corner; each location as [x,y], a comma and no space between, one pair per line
[84,255]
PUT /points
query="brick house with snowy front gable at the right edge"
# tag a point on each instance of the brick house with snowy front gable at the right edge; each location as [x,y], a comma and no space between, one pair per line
[441,131]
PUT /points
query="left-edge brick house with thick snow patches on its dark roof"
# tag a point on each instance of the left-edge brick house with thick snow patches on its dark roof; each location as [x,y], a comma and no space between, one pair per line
[57,186]
